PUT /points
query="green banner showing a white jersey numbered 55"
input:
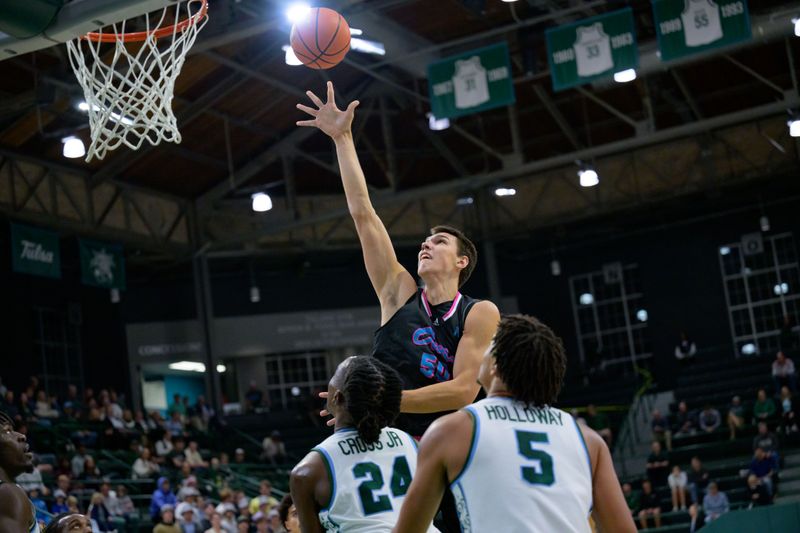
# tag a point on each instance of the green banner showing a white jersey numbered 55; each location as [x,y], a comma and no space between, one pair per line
[686,27]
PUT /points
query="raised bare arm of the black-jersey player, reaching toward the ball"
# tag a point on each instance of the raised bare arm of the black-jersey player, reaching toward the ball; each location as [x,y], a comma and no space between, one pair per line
[392,283]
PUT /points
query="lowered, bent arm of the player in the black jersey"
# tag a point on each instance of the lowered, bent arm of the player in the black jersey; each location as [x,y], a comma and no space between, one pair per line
[479,329]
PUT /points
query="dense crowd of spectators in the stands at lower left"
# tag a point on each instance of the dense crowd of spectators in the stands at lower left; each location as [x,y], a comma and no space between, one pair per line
[191,490]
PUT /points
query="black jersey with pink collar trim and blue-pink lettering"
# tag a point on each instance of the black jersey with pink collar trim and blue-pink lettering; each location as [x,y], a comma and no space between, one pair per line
[420,342]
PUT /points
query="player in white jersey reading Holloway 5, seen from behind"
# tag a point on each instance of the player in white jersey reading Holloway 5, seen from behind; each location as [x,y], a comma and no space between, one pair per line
[511,459]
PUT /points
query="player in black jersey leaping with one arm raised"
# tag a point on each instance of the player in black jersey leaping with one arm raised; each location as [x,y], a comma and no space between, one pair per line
[434,336]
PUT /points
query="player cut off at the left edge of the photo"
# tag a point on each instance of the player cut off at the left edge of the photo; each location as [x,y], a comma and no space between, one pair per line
[16,510]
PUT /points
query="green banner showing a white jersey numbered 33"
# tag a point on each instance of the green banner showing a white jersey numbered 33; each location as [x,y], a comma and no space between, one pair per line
[592,48]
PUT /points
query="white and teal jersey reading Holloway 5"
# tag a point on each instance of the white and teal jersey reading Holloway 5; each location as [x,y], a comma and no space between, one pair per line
[528,470]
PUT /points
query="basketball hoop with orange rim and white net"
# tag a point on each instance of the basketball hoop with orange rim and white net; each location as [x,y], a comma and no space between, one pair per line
[128,78]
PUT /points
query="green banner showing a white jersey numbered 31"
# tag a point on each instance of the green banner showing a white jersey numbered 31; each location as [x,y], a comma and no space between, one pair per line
[471,82]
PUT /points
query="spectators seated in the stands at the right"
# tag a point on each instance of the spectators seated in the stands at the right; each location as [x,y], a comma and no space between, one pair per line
[693,490]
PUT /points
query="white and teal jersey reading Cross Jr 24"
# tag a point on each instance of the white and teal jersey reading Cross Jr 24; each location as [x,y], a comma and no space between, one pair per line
[368,481]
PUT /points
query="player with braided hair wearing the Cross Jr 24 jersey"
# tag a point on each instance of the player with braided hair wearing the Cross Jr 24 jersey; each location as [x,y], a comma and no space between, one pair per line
[356,479]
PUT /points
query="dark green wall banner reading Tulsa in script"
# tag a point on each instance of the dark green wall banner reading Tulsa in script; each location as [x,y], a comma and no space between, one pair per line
[35,251]
